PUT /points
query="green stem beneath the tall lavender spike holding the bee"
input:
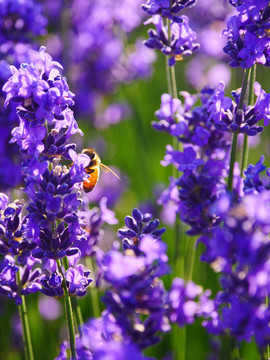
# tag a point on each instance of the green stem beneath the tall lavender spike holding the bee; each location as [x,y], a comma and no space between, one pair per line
[69,315]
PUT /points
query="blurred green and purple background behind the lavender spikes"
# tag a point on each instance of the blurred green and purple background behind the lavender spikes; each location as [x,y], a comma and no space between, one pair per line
[117,84]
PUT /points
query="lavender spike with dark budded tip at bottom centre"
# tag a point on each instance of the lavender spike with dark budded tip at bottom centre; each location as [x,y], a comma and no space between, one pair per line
[134,279]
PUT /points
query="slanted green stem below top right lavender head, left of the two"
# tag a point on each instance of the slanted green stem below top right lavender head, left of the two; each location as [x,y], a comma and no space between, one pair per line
[235,135]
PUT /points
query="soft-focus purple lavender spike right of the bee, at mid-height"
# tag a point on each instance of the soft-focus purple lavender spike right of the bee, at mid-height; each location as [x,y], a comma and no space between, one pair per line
[203,161]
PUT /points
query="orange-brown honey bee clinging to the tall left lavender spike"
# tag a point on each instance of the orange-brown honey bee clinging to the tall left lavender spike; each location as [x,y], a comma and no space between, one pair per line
[93,169]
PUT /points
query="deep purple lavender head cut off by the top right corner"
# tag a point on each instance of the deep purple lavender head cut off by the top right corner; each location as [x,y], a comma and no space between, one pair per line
[247,34]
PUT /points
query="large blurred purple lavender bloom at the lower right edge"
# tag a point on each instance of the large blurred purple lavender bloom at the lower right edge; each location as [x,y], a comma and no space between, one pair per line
[239,249]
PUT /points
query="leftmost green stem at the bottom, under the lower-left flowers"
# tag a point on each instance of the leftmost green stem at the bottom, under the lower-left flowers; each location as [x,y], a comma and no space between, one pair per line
[28,350]
